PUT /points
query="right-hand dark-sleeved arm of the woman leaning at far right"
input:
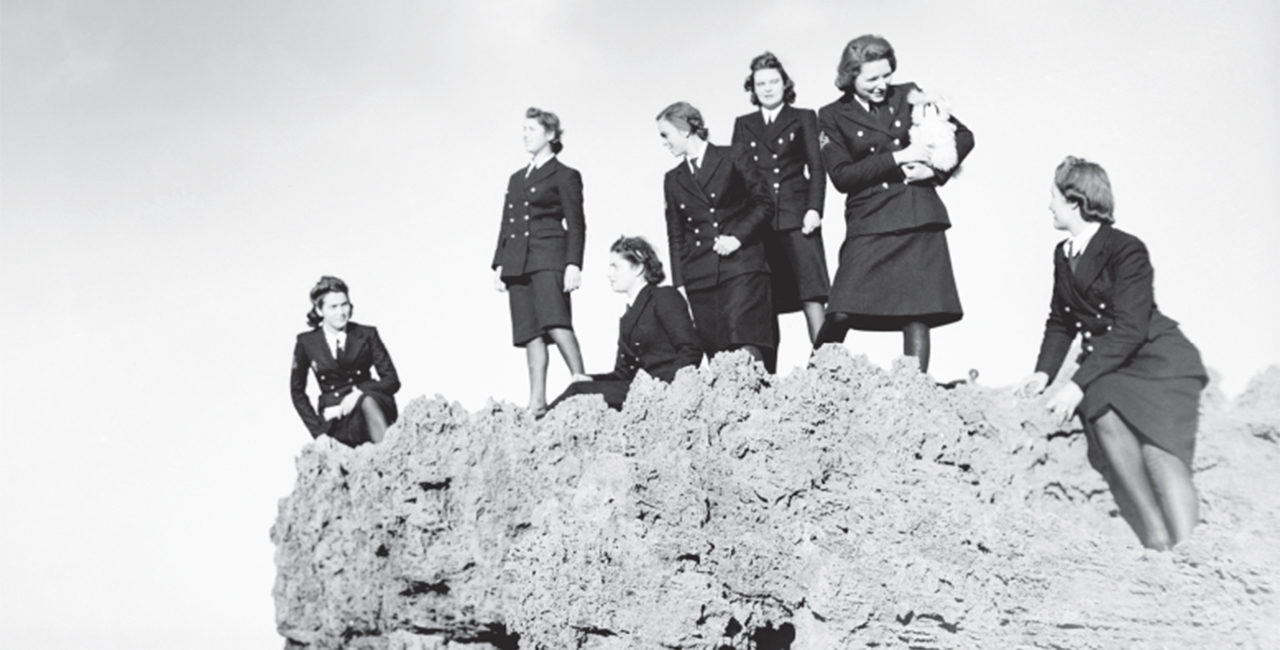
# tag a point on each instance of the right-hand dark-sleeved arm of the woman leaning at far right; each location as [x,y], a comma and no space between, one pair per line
[1133,303]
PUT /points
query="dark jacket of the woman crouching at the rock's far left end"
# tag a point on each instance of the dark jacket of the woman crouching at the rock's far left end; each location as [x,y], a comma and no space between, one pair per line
[363,351]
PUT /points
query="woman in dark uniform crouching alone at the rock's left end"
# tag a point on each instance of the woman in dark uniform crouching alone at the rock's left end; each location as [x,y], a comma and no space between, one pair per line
[354,408]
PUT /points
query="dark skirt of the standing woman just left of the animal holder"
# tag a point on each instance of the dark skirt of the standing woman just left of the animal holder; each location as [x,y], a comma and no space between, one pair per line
[798,267]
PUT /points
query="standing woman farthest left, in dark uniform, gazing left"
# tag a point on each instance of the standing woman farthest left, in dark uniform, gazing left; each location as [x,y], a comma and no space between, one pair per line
[538,260]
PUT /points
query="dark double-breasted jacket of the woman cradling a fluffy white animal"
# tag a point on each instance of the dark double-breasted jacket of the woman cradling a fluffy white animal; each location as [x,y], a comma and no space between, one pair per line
[858,152]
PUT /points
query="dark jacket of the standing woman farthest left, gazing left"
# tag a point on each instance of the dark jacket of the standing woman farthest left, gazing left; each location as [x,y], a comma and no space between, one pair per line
[543,227]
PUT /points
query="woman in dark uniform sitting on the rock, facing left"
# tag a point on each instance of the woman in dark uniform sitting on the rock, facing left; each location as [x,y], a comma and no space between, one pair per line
[656,335]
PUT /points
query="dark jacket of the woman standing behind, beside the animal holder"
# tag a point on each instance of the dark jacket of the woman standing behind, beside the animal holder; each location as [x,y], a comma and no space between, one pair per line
[780,152]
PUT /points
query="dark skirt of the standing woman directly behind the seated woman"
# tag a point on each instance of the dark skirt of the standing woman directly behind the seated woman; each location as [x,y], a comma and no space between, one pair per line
[737,313]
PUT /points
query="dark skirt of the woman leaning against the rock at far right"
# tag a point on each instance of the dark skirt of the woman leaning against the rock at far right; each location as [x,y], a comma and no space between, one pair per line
[1164,413]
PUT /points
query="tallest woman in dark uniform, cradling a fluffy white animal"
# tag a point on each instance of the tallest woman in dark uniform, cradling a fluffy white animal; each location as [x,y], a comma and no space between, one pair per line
[895,268]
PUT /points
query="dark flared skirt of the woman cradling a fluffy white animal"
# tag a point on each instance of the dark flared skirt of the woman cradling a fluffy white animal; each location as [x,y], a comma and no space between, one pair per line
[888,281]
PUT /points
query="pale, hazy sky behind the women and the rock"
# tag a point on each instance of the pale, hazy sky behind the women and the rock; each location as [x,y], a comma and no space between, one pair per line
[176,176]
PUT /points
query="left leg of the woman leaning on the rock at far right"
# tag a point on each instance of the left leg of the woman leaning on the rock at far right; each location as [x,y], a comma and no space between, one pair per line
[1124,455]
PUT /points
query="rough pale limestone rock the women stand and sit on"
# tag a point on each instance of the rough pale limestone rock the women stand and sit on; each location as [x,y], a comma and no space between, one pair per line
[843,506]
